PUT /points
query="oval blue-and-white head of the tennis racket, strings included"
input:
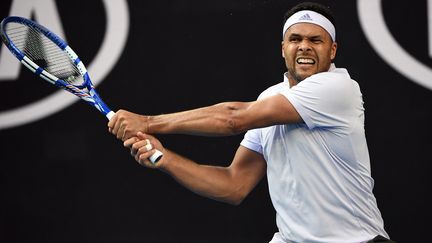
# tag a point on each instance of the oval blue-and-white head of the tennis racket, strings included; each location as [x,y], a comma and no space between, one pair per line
[33,44]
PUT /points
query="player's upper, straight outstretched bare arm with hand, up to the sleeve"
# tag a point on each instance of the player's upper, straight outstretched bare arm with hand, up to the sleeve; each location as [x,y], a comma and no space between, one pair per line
[223,119]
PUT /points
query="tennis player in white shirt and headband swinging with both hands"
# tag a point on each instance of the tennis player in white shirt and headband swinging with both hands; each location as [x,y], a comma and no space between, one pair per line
[307,134]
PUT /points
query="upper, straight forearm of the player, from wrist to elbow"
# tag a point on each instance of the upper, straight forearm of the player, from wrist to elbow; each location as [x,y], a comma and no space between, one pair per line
[217,120]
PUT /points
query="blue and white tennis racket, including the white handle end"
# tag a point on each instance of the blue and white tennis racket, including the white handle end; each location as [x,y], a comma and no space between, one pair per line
[51,58]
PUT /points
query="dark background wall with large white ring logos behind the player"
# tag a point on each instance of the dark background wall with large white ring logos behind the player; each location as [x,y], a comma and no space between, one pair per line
[64,178]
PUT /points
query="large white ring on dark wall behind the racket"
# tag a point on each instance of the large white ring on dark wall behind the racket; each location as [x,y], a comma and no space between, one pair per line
[114,41]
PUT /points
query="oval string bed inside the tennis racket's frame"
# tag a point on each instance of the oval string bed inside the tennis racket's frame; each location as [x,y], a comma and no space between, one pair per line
[44,53]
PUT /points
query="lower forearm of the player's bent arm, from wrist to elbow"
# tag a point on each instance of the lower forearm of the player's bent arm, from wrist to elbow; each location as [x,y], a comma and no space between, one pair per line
[212,182]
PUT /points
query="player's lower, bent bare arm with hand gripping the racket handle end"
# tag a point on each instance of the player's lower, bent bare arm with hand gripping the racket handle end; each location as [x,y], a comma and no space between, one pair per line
[227,184]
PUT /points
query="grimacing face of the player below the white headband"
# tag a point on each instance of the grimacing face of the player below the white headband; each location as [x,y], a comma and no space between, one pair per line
[307,49]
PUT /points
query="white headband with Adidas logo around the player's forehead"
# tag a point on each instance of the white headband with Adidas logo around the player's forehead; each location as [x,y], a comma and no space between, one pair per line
[308,16]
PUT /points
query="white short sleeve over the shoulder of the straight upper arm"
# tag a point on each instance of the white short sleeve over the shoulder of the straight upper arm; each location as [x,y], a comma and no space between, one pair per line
[323,100]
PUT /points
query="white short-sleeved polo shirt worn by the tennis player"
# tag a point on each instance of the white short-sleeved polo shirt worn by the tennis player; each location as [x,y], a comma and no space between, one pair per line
[319,172]
